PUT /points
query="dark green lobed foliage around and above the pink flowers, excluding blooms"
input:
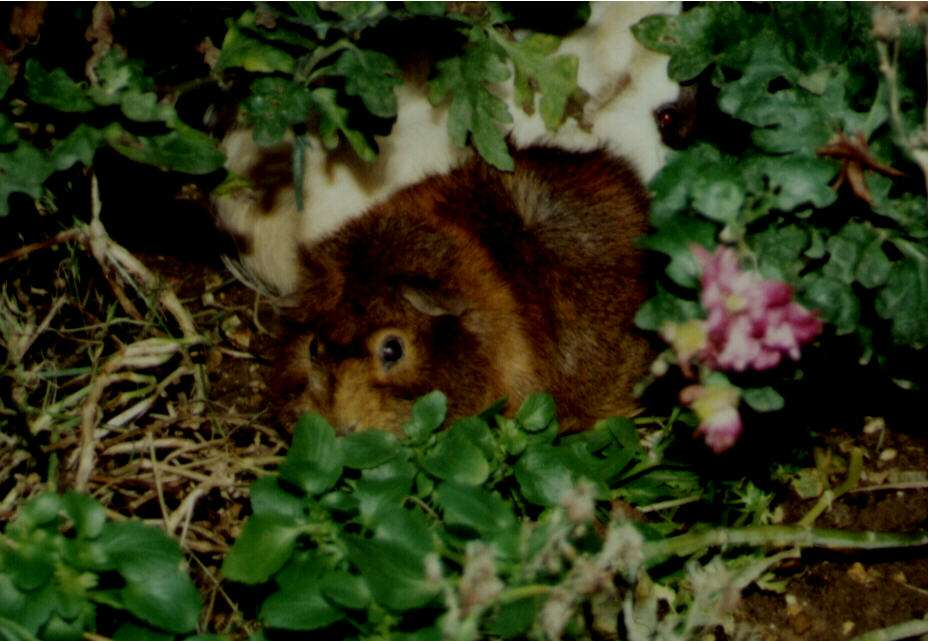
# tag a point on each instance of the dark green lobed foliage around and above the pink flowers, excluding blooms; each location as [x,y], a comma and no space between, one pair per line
[805,83]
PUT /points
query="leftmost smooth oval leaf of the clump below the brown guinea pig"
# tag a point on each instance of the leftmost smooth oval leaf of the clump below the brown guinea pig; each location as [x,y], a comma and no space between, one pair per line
[265,544]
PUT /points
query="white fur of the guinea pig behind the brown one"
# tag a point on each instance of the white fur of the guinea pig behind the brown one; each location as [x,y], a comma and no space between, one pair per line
[626,83]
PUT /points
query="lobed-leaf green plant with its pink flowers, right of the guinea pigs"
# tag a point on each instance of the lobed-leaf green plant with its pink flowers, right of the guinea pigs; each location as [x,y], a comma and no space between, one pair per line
[809,171]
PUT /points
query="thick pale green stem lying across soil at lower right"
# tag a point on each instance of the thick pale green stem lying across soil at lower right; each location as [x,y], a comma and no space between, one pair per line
[777,536]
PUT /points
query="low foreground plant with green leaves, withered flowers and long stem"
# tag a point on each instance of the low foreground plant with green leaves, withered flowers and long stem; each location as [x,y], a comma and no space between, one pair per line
[512,532]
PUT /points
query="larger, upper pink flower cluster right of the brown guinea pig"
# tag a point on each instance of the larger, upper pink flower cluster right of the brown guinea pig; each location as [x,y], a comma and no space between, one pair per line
[752,322]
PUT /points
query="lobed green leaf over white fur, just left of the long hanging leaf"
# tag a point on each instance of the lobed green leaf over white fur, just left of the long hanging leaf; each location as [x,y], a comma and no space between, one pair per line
[372,76]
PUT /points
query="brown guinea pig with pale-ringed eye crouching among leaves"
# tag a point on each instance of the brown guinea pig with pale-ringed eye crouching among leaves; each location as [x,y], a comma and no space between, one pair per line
[482,284]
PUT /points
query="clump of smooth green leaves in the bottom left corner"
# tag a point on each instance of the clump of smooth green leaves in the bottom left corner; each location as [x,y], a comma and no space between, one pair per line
[56,562]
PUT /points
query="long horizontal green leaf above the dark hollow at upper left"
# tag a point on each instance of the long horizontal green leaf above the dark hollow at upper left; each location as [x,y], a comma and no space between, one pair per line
[184,149]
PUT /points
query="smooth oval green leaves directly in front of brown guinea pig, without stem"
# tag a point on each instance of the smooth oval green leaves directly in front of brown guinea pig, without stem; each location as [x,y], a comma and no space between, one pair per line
[372,529]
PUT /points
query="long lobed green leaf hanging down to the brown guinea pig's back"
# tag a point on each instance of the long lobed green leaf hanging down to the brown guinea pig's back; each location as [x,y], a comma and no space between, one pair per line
[474,109]
